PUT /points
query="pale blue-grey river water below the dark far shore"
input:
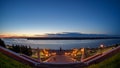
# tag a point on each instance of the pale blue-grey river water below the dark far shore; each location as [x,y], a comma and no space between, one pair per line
[65,44]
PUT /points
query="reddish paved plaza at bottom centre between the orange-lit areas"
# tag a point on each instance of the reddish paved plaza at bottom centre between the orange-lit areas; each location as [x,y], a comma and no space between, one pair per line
[60,59]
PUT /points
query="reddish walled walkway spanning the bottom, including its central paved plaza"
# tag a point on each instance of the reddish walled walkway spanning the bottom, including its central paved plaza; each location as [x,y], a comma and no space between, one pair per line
[60,60]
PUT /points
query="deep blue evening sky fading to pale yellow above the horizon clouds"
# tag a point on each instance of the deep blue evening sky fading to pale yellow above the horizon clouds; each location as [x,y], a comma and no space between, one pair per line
[38,17]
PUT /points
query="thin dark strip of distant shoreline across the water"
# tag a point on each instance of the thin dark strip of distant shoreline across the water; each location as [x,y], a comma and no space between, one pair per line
[70,38]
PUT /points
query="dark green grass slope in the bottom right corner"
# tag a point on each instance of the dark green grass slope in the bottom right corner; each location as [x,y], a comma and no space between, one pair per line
[113,62]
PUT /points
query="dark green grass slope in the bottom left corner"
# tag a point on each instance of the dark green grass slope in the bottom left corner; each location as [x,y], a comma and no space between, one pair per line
[7,62]
